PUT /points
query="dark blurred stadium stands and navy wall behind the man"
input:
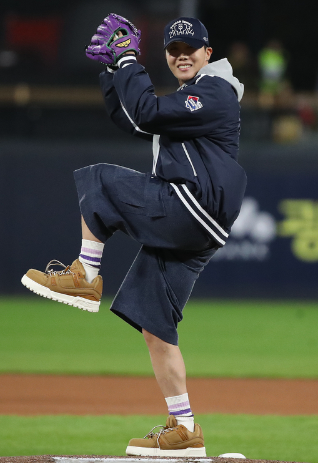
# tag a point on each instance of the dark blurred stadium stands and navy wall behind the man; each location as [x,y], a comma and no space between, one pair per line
[53,121]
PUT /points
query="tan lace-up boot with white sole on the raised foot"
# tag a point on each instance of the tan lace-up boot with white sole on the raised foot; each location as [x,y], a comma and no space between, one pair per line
[68,285]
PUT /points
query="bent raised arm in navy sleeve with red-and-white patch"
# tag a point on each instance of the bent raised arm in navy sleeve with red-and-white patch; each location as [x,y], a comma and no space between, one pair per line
[193,111]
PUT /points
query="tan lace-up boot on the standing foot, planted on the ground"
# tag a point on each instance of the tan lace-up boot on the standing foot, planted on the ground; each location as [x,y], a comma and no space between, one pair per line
[172,441]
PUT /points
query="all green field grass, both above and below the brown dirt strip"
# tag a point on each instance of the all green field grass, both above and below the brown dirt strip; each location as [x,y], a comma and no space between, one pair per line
[218,338]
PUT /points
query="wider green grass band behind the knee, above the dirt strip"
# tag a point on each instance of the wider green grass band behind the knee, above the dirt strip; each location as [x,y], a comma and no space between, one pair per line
[217,338]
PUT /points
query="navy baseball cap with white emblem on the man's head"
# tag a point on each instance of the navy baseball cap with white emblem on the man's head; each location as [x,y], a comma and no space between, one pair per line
[188,30]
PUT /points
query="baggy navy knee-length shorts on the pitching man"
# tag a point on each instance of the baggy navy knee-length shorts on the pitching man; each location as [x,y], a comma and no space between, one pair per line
[175,247]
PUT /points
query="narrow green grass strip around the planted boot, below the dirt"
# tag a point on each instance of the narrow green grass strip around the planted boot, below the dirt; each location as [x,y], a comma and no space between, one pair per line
[292,438]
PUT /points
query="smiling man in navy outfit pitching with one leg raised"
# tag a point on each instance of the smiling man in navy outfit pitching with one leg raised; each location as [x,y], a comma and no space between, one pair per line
[180,213]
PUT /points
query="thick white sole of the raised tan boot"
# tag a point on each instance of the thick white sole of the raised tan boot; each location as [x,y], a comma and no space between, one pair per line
[79,302]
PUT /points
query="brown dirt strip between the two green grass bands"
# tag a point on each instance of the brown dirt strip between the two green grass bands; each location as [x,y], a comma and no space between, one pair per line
[100,395]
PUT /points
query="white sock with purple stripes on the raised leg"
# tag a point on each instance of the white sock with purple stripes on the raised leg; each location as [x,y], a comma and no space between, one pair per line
[90,256]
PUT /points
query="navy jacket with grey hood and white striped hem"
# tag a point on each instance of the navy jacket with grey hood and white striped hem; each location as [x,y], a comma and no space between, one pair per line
[195,134]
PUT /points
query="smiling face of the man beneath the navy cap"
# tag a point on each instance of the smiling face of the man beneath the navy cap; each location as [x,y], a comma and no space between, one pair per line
[185,61]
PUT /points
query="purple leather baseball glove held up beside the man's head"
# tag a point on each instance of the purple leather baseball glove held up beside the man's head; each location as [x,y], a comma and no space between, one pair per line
[114,37]
